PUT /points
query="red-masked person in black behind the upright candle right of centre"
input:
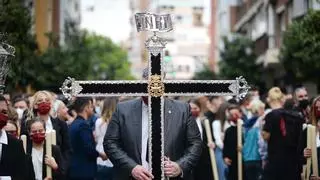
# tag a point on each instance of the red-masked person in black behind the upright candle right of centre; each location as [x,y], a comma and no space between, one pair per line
[230,143]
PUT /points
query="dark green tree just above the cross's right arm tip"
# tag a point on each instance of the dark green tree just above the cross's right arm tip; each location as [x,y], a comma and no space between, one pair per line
[239,59]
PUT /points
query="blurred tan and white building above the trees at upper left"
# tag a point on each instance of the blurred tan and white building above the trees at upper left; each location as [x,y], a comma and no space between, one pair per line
[52,16]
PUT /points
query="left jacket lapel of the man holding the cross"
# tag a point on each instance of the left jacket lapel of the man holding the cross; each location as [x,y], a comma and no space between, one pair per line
[137,122]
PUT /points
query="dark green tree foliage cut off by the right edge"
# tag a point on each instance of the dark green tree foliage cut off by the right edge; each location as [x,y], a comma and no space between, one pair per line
[301,46]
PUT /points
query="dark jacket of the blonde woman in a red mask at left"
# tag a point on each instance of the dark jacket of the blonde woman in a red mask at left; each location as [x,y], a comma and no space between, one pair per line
[62,134]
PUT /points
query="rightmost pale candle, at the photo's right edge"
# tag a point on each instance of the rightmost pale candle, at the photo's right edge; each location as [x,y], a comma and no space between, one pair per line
[314,151]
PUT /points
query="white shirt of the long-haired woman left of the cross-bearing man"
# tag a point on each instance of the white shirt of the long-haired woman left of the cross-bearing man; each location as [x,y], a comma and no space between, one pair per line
[100,131]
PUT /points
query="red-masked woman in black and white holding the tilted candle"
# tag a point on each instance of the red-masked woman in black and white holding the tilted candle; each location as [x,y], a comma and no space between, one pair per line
[203,170]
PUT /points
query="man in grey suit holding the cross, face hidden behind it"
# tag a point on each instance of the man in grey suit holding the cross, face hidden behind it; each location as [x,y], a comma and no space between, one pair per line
[126,140]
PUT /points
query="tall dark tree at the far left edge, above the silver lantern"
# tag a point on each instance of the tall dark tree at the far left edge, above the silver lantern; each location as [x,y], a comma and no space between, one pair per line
[15,20]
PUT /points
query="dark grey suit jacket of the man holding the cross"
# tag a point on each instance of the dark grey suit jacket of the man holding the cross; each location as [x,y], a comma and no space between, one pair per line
[122,142]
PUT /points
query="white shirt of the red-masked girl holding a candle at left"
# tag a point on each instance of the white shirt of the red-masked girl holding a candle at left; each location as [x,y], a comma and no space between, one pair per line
[37,162]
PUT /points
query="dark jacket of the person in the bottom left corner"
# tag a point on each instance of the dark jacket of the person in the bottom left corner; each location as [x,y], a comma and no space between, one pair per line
[13,159]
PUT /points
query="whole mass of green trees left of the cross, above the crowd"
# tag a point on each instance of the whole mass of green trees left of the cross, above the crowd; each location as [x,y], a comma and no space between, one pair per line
[84,56]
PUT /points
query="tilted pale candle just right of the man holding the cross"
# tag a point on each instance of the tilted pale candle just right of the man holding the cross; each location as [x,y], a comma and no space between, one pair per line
[211,151]
